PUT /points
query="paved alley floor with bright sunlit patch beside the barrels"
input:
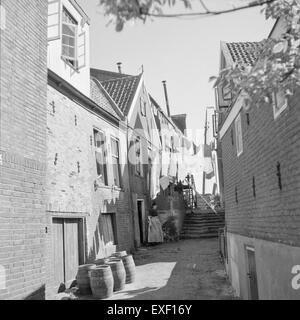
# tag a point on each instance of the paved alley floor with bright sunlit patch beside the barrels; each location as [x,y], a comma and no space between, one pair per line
[187,269]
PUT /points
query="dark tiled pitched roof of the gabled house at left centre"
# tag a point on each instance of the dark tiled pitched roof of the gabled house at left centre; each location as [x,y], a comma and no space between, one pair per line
[120,87]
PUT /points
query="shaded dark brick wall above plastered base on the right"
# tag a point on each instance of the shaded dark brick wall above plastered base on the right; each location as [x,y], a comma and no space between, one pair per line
[274,213]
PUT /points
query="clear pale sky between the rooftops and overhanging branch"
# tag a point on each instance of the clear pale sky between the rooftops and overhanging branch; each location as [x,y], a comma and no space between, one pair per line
[184,52]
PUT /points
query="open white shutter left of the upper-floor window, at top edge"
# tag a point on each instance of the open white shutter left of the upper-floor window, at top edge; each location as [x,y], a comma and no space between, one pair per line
[54,18]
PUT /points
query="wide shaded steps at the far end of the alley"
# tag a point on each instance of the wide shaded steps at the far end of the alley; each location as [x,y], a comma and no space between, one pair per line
[202,223]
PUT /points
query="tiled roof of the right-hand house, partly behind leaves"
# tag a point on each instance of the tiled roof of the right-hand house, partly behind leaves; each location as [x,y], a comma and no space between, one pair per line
[245,52]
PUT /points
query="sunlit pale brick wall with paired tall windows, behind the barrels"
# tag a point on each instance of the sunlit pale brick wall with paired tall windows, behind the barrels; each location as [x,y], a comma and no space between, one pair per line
[71,192]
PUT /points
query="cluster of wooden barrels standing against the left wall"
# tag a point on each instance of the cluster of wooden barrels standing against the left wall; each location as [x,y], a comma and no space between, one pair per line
[106,275]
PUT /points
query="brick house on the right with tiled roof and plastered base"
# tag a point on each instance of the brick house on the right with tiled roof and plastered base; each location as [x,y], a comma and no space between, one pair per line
[260,185]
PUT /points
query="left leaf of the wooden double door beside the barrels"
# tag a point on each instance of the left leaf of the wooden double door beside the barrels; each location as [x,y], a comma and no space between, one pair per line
[58,252]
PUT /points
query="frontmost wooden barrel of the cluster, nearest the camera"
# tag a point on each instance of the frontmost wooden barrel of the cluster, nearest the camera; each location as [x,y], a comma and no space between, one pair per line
[101,281]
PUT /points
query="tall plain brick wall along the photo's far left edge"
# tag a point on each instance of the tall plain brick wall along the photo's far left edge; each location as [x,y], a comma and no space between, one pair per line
[23,79]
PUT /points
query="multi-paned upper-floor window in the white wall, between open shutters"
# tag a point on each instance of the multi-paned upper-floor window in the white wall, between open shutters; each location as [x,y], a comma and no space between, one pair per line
[69,38]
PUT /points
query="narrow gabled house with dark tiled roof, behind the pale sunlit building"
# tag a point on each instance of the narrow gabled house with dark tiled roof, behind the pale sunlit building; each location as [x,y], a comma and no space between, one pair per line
[130,95]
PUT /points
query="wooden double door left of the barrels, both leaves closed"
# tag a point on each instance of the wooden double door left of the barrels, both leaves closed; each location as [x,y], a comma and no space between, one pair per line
[67,248]
